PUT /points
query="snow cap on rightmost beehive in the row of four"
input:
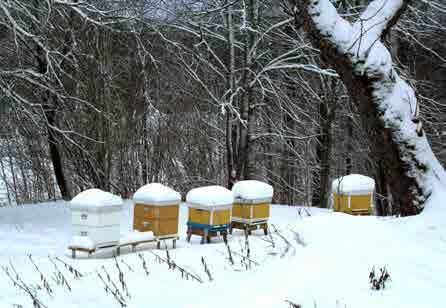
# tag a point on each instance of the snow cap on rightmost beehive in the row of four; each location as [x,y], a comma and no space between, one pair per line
[251,190]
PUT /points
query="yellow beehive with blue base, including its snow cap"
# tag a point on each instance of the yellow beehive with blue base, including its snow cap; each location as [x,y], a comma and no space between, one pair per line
[210,210]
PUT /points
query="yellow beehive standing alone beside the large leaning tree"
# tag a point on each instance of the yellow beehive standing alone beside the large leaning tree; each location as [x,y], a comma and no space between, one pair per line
[353,194]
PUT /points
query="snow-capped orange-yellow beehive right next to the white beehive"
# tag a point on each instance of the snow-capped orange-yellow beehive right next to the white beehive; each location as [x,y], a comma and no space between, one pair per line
[156,209]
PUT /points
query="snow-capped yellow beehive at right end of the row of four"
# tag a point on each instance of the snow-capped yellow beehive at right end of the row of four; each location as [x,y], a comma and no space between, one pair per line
[252,201]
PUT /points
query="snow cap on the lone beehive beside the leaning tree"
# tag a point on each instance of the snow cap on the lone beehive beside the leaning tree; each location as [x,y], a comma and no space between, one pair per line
[353,183]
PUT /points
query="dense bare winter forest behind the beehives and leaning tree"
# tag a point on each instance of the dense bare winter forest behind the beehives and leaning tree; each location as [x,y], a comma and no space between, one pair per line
[115,94]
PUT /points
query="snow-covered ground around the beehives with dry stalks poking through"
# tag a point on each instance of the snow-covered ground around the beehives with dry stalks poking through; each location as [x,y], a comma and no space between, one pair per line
[326,265]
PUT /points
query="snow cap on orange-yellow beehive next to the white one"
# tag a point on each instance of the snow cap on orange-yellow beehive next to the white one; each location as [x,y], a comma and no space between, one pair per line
[156,193]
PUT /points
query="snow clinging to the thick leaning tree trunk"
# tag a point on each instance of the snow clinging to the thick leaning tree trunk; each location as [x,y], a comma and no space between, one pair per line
[396,100]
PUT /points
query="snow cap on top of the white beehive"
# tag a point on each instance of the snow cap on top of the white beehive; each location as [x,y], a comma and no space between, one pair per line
[94,199]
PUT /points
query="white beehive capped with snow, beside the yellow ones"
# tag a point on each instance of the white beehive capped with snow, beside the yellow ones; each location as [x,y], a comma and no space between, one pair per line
[96,215]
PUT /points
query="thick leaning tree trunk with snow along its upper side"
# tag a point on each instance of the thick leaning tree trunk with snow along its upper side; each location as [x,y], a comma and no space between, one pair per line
[387,104]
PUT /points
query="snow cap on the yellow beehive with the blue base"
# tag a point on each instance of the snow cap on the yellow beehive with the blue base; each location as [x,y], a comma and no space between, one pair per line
[210,196]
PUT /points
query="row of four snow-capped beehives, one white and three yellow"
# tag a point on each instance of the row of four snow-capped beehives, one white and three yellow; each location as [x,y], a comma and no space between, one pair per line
[212,210]
